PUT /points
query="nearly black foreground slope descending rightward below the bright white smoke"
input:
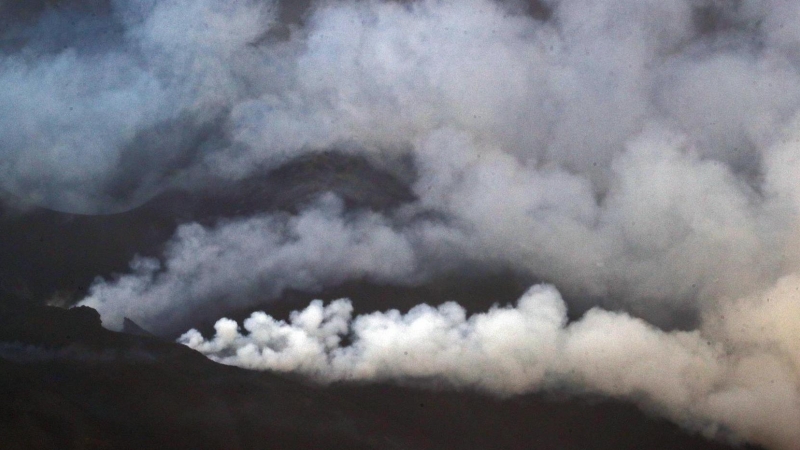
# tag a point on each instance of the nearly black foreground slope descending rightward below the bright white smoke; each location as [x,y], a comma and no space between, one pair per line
[67,383]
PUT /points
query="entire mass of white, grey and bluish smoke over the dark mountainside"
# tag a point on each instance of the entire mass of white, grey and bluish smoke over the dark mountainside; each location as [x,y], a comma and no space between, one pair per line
[640,152]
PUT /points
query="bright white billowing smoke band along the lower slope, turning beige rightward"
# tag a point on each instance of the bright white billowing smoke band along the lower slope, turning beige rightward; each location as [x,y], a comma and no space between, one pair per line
[736,377]
